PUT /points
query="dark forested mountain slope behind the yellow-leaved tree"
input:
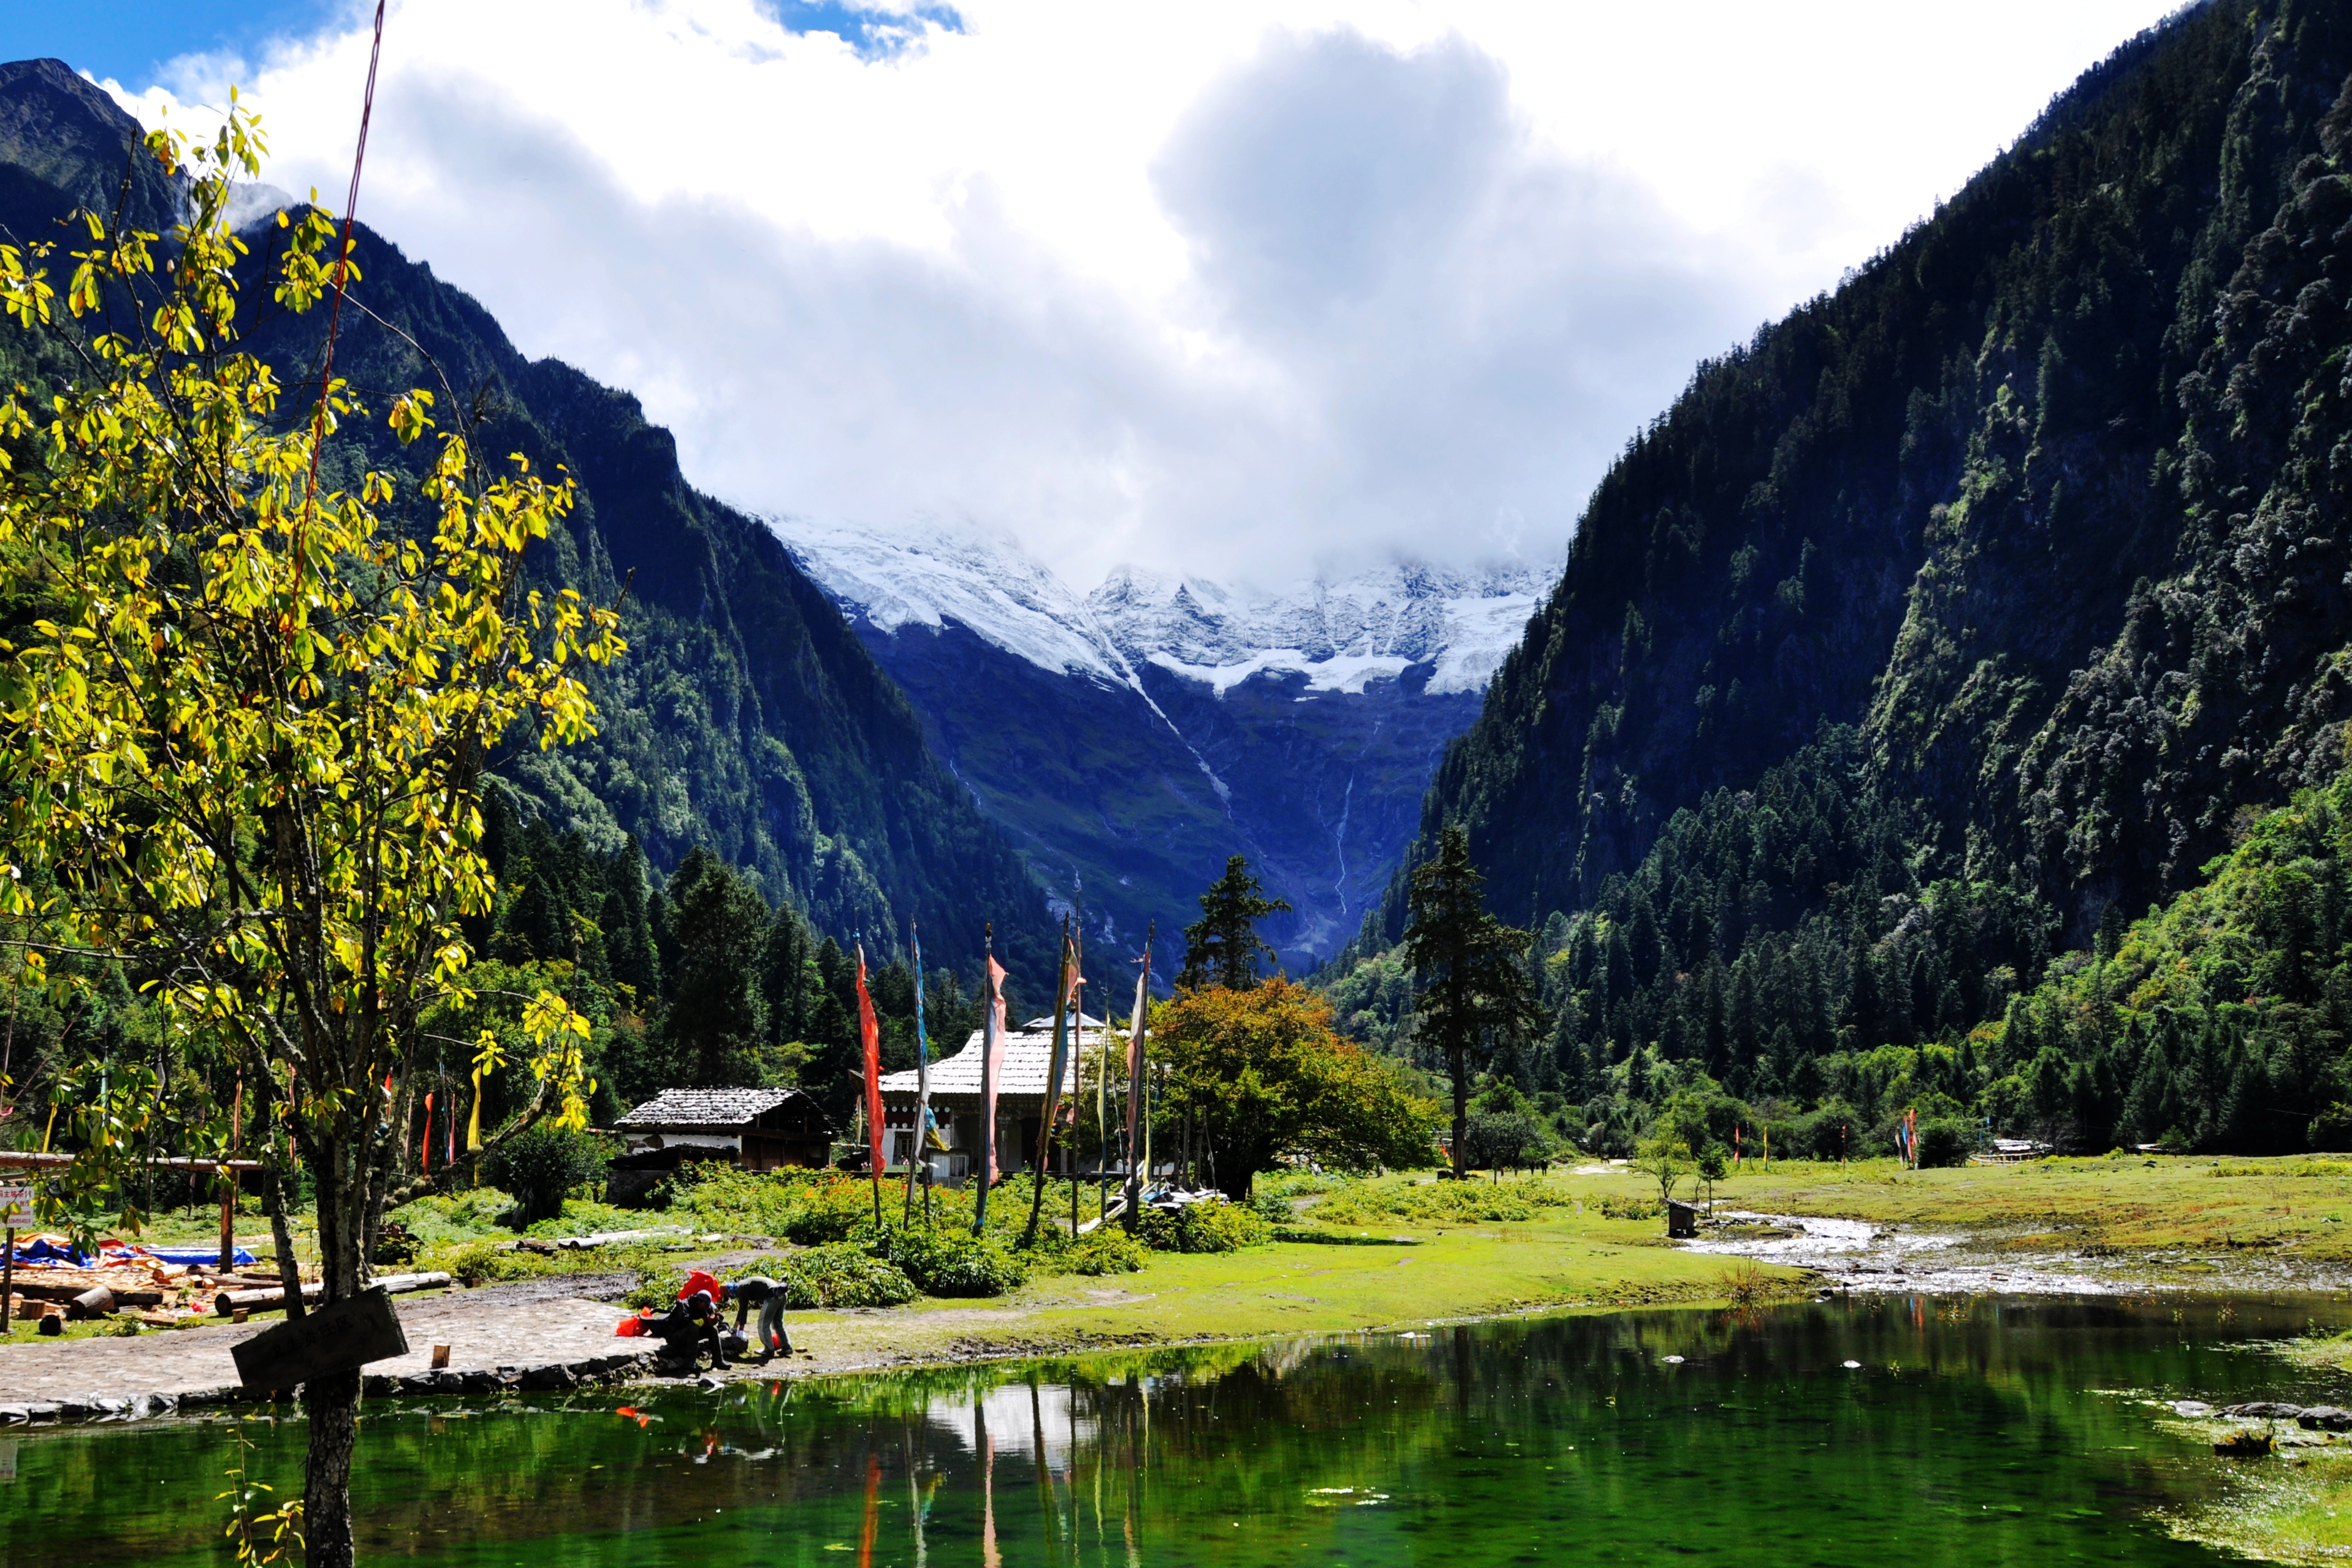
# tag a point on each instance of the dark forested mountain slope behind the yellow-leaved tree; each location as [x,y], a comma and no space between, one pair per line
[747,716]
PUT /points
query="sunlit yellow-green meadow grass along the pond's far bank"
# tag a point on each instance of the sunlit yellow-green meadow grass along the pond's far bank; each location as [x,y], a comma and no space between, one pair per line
[1408,1249]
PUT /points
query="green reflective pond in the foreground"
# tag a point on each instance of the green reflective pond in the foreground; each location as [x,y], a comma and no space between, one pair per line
[1920,1430]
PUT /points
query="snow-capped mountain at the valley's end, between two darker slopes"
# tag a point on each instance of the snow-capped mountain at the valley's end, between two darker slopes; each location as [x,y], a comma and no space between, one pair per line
[1135,737]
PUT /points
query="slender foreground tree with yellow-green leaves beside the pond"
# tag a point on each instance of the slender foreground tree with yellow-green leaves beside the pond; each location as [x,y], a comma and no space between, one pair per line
[243,723]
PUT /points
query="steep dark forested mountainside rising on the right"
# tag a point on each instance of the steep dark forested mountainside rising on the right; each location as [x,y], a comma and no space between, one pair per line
[1965,612]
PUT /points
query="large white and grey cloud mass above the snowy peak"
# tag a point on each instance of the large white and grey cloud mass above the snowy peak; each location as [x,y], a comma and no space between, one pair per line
[1234,288]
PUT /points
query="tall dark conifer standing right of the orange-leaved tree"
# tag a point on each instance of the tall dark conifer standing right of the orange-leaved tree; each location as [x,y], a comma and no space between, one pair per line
[1474,986]
